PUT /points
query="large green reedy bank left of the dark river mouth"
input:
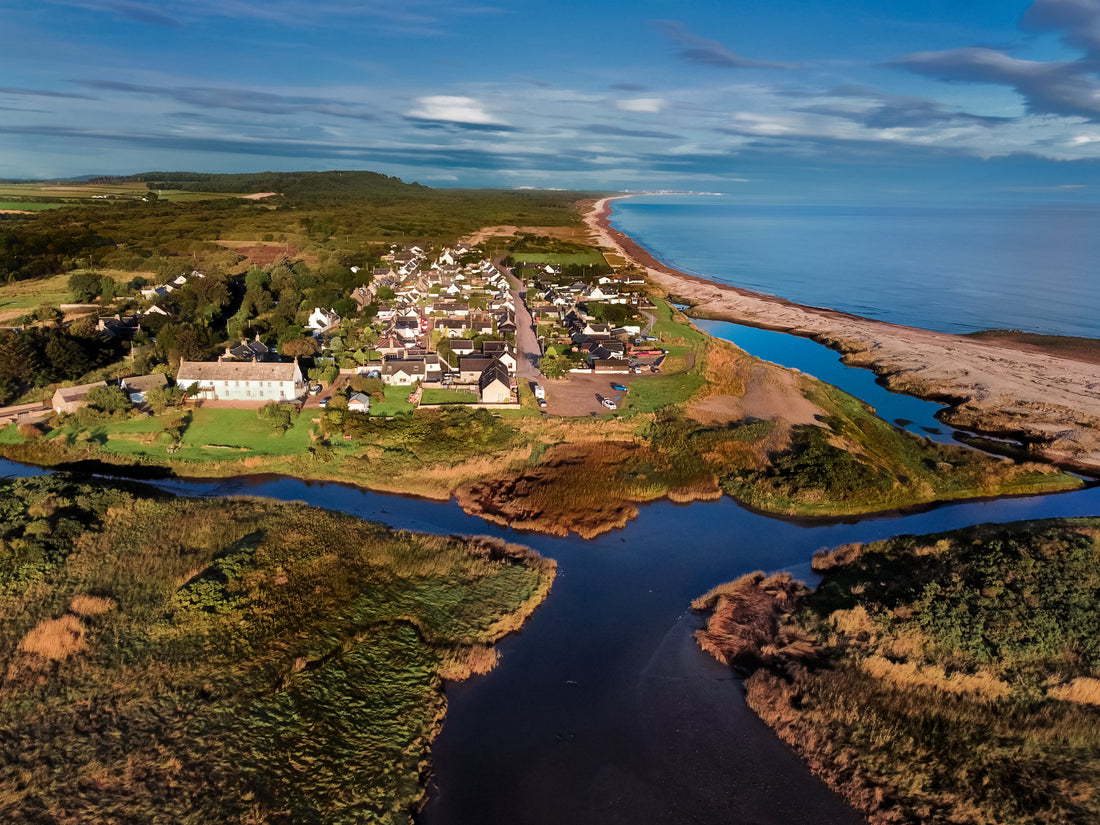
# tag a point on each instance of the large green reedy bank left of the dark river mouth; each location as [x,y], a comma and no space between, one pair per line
[235,662]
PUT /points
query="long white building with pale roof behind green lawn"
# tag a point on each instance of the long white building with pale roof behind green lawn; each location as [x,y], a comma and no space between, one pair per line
[243,381]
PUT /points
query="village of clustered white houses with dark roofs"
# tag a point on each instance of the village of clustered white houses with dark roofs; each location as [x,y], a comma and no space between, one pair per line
[453,328]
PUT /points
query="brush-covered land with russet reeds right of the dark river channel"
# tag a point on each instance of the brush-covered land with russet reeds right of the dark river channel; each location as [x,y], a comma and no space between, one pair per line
[947,679]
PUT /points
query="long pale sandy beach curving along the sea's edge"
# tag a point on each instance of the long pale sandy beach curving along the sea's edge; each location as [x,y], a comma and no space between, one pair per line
[1051,402]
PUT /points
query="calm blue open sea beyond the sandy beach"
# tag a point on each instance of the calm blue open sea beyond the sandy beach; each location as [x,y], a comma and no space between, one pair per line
[1032,268]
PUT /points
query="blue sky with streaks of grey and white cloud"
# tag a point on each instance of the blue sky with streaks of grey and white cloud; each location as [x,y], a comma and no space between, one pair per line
[773,100]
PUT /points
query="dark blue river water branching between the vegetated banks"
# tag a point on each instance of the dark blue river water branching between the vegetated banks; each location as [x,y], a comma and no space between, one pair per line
[603,710]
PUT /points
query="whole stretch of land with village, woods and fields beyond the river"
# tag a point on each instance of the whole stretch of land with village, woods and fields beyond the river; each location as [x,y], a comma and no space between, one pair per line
[478,345]
